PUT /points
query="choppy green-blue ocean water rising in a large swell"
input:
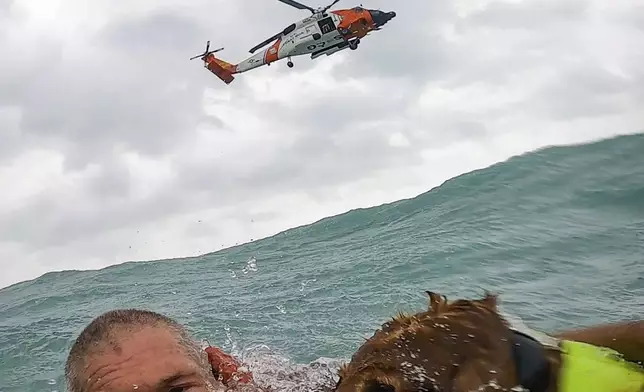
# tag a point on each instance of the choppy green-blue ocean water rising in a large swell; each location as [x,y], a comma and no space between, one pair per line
[558,233]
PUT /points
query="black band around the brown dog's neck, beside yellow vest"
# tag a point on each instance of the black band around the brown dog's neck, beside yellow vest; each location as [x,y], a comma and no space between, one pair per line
[532,365]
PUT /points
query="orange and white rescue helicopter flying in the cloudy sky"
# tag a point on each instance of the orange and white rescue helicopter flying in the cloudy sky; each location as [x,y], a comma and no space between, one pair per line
[323,33]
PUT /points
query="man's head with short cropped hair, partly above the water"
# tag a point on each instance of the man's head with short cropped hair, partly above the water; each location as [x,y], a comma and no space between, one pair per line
[126,350]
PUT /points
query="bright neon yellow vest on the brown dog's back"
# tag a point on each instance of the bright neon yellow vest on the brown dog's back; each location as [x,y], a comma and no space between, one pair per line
[588,368]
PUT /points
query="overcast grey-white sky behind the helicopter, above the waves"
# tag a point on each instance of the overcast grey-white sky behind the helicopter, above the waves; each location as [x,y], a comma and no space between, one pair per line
[114,147]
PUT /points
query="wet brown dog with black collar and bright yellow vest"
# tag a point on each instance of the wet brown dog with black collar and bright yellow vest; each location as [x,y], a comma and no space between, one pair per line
[466,345]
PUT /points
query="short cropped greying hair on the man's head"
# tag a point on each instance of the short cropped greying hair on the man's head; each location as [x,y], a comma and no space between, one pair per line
[103,332]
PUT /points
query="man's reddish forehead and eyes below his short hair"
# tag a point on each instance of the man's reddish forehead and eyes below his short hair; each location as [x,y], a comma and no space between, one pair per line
[147,360]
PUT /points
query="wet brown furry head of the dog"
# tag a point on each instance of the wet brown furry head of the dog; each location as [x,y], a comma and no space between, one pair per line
[453,346]
